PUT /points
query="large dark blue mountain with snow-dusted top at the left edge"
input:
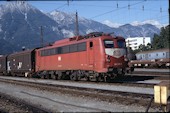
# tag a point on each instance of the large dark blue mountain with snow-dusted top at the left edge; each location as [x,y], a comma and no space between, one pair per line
[20,26]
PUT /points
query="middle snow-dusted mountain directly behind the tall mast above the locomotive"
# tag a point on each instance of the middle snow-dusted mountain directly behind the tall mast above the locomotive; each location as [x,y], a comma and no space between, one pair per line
[67,24]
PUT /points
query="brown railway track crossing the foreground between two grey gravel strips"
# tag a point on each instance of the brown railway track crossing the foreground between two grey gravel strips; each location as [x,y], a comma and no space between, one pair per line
[102,94]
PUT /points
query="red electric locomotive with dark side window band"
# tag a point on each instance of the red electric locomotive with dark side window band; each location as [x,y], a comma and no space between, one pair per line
[96,56]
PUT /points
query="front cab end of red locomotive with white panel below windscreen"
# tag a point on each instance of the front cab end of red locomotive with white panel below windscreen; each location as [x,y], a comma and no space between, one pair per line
[115,52]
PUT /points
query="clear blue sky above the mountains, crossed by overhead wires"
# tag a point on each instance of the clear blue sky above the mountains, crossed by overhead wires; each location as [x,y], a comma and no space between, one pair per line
[116,12]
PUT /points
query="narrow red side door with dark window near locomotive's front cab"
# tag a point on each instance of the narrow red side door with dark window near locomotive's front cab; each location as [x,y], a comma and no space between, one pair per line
[91,54]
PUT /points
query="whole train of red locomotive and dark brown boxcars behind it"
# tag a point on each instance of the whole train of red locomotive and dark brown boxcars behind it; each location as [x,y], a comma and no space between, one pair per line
[95,56]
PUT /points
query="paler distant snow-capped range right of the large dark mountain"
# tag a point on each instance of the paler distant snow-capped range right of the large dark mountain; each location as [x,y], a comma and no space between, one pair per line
[67,23]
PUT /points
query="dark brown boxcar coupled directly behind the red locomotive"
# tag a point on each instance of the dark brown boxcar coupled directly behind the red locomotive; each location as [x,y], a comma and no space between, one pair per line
[21,63]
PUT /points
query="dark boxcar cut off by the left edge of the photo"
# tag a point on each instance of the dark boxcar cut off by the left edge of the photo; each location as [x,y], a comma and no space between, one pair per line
[3,64]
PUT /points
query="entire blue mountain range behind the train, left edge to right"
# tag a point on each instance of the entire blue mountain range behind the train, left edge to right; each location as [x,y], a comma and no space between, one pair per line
[20,26]
